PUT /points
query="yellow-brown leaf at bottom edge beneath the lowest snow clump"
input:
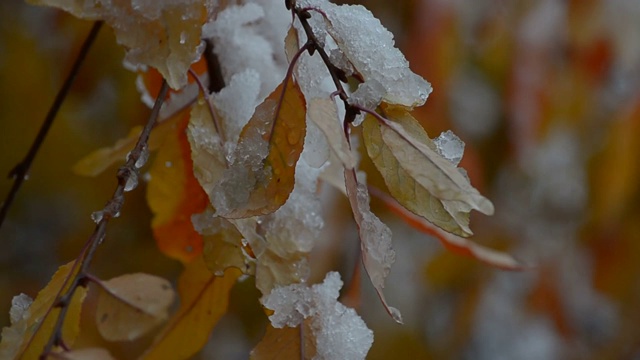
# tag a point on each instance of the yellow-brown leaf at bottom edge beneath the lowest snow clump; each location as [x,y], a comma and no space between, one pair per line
[286,343]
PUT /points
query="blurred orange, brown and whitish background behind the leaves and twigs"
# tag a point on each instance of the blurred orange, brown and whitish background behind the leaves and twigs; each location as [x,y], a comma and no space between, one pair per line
[546,95]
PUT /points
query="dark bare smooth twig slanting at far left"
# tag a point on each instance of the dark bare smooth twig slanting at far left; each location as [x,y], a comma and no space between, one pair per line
[19,172]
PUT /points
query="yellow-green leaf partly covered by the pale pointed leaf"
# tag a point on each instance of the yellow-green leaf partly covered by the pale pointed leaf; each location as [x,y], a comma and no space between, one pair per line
[403,187]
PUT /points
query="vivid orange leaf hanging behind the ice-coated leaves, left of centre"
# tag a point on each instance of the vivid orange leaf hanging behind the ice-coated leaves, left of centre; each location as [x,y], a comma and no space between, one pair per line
[174,195]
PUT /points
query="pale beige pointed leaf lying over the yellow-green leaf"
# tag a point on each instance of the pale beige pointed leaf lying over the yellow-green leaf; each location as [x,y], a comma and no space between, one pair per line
[426,167]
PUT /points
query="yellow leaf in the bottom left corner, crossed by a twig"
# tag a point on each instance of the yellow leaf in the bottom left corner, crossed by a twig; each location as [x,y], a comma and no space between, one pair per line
[33,326]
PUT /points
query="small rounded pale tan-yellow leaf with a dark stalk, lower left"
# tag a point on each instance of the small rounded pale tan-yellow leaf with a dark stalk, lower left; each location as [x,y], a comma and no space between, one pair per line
[132,305]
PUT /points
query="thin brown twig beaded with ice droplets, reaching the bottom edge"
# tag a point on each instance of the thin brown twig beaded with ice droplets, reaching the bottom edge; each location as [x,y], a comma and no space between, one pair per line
[111,210]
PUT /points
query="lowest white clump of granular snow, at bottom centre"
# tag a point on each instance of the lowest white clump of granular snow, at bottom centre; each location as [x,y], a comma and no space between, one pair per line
[336,331]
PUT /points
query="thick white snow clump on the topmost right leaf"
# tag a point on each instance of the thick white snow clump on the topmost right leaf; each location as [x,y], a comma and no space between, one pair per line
[370,48]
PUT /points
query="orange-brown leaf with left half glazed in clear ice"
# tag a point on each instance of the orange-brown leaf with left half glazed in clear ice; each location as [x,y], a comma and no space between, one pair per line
[261,177]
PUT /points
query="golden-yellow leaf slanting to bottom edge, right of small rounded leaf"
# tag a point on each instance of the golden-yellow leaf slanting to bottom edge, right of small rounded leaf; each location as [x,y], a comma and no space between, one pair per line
[203,300]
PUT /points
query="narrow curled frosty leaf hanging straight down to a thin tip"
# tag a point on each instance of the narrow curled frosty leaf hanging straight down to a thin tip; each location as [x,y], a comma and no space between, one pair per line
[375,239]
